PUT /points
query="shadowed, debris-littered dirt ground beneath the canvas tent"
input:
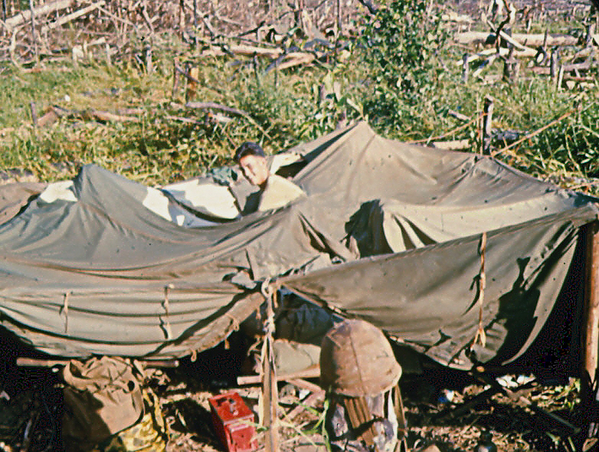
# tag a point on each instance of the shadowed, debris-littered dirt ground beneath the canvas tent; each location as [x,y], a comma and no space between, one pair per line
[31,408]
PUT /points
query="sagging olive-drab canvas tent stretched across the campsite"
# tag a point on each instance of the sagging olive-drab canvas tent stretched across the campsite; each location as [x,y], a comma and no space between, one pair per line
[389,232]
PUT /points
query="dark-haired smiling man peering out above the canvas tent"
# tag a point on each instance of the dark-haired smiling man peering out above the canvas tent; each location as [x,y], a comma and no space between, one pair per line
[275,191]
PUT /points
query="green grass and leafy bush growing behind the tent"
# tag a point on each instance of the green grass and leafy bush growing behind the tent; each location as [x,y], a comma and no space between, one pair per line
[401,73]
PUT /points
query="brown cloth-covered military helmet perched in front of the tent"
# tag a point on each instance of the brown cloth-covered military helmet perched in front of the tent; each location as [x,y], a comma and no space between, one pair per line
[356,360]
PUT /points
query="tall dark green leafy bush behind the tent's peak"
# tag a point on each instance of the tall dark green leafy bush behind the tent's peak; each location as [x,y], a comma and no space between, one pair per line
[400,45]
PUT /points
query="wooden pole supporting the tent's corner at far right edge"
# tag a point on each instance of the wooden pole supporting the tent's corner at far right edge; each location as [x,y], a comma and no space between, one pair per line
[590,329]
